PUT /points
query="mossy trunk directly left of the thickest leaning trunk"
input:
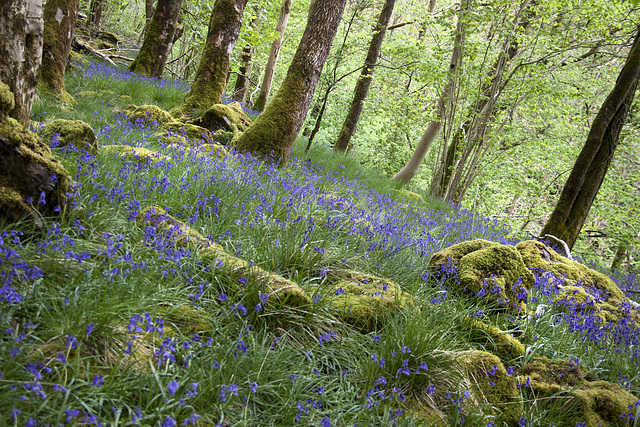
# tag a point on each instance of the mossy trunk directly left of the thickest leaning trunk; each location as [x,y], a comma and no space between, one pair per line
[211,76]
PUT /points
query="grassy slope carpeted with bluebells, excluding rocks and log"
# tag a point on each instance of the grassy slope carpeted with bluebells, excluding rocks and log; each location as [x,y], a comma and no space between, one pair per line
[108,320]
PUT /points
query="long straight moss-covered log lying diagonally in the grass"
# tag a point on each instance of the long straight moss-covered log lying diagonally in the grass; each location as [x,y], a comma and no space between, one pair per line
[279,288]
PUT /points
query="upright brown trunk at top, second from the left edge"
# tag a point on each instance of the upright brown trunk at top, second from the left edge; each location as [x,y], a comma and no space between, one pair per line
[60,18]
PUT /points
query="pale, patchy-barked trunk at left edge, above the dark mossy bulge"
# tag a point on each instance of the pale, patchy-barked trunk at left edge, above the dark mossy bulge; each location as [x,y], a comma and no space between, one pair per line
[21,52]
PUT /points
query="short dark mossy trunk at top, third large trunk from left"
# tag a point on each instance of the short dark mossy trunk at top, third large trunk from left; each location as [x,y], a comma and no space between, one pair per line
[158,39]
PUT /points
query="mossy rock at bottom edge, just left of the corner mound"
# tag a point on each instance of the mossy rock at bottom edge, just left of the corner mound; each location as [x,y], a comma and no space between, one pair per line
[492,387]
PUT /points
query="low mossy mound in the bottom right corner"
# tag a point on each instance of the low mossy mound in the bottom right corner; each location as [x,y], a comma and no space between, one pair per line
[592,402]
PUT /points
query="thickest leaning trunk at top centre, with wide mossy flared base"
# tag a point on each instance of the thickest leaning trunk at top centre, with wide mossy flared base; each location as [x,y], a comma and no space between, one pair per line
[275,130]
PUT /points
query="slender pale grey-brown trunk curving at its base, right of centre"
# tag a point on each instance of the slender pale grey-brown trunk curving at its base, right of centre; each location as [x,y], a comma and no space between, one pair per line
[407,173]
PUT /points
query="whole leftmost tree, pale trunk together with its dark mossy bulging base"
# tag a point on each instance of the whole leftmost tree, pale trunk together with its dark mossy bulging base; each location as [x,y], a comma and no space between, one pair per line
[31,180]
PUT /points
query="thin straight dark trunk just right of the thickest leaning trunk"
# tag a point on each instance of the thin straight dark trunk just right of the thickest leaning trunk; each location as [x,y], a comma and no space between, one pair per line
[364,81]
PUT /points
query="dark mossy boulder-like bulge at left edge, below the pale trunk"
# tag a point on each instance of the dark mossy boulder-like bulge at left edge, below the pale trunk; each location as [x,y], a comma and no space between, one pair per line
[32,181]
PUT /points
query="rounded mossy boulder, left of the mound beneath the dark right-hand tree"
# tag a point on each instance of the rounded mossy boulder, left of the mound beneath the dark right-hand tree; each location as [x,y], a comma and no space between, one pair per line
[489,270]
